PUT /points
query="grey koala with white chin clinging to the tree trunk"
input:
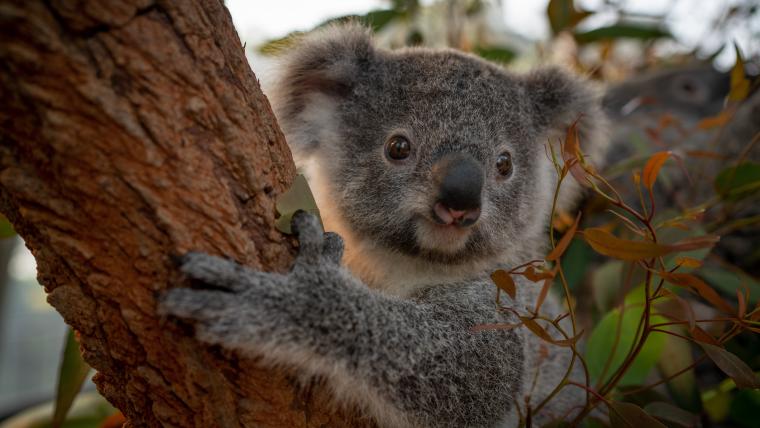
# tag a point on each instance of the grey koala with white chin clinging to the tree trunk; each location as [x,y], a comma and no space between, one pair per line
[432,167]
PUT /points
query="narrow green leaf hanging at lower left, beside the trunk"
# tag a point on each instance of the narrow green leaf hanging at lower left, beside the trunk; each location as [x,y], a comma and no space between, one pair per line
[71,376]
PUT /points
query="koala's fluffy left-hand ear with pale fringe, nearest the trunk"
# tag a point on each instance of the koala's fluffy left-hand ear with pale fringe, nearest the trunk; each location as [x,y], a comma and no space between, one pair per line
[319,69]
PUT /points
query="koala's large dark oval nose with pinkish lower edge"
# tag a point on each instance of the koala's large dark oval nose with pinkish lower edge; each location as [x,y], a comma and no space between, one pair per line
[460,184]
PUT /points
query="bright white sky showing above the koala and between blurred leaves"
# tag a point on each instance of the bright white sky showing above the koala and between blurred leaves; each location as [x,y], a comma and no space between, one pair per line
[691,21]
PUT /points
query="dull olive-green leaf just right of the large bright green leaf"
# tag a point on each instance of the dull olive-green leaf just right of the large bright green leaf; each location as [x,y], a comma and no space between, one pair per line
[676,355]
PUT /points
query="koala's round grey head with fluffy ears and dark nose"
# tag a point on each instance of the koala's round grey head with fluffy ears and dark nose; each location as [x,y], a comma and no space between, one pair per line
[434,154]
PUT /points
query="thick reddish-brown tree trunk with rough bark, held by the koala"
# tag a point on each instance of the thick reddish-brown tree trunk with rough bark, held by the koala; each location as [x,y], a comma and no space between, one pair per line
[132,132]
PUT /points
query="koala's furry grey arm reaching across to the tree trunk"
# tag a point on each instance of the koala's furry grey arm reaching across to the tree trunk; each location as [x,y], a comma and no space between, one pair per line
[406,362]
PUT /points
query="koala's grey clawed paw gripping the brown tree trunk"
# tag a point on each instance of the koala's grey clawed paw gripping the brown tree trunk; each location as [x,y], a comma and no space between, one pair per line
[237,307]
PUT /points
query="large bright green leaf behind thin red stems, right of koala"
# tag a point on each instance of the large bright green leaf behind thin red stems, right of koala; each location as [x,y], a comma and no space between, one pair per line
[602,340]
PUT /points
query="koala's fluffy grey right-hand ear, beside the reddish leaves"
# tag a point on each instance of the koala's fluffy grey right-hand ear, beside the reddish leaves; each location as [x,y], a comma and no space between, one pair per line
[559,99]
